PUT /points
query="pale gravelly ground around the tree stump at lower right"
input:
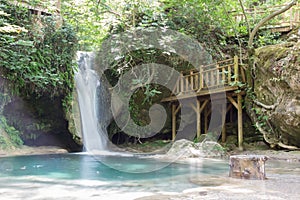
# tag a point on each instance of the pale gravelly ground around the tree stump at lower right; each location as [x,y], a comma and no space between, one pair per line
[283,181]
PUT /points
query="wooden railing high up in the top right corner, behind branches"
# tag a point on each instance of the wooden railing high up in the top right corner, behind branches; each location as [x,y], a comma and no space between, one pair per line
[289,19]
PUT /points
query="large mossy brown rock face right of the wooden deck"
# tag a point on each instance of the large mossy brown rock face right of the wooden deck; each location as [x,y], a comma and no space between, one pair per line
[277,83]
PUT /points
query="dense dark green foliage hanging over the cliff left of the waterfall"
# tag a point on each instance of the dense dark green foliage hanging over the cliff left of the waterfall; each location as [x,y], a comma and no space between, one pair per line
[37,55]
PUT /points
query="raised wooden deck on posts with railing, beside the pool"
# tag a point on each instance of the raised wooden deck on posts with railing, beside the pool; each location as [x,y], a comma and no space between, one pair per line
[222,77]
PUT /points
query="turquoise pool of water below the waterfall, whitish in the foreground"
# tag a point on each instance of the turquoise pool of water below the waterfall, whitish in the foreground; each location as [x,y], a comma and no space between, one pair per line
[81,176]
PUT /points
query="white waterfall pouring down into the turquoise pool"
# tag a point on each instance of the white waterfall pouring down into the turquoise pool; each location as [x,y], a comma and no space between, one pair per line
[90,92]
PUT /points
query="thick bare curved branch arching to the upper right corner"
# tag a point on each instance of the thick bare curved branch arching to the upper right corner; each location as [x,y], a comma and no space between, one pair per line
[269,17]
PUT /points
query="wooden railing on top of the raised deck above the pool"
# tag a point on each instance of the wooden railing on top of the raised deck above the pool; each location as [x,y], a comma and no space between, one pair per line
[224,73]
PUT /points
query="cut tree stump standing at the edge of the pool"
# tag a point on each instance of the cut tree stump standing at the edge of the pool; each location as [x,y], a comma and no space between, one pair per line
[248,166]
